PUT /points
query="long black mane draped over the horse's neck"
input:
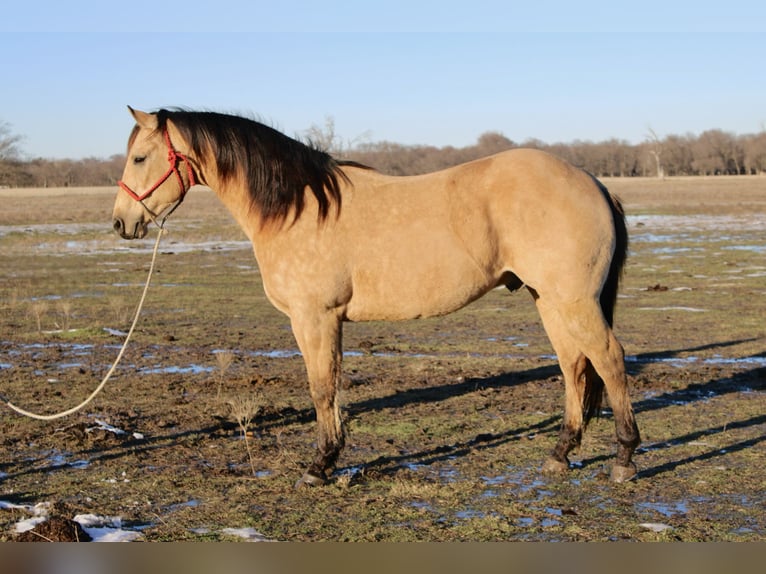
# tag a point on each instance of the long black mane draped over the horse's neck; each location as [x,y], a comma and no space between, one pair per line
[276,169]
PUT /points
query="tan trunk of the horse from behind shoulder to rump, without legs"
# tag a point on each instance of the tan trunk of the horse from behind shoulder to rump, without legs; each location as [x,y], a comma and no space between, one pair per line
[427,245]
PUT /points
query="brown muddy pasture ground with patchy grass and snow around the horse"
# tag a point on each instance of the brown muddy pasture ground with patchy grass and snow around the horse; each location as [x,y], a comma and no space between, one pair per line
[207,423]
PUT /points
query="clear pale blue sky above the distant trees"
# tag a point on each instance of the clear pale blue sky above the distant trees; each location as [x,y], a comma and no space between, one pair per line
[437,72]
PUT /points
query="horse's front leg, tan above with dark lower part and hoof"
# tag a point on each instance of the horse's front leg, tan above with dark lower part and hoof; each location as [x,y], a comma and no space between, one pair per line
[319,339]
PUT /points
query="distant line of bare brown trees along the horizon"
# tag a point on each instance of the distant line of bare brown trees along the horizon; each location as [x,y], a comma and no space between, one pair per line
[713,152]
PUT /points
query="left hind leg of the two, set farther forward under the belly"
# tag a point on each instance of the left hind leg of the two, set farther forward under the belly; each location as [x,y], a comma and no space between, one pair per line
[573,366]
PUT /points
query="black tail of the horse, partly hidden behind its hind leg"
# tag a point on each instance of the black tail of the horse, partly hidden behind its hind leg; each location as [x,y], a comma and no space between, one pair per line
[594,385]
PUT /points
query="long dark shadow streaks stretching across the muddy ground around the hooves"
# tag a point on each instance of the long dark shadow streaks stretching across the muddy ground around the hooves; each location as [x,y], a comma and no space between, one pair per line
[754,379]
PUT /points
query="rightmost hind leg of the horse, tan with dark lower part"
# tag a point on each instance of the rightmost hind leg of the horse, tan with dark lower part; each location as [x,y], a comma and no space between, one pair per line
[595,339]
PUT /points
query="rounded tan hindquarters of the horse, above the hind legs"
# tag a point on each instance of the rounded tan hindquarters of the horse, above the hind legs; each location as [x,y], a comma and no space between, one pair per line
[533,214]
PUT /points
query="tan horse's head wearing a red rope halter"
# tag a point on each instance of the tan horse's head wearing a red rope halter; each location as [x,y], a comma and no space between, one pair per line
[153,181]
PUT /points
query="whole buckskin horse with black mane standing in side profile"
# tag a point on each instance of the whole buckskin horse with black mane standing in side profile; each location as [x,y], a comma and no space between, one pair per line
[338,241]
